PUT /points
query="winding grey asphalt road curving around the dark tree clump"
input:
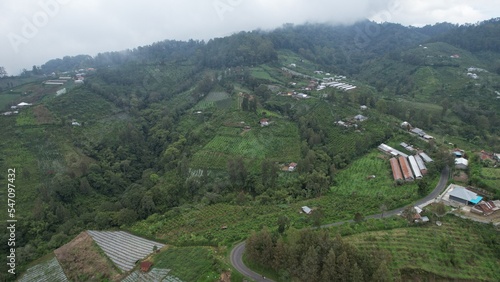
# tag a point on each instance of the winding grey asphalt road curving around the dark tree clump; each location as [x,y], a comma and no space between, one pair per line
[236,256]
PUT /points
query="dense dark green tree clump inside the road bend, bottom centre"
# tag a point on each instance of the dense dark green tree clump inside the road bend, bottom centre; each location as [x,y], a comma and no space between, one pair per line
[312,255]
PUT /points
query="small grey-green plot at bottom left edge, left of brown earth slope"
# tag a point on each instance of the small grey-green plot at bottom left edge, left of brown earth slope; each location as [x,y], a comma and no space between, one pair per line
[48,271]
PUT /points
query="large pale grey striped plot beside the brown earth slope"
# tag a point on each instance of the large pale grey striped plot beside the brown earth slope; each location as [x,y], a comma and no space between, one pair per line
[122,248]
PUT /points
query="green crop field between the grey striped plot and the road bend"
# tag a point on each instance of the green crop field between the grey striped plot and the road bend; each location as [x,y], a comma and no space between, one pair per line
[202,225]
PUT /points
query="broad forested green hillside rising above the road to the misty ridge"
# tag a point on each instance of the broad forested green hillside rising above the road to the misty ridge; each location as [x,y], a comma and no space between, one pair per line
[176,139]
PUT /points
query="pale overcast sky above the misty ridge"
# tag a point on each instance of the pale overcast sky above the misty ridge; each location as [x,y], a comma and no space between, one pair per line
[35,31]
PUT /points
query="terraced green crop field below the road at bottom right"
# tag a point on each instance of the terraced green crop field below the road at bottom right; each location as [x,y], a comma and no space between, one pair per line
[455,250]
